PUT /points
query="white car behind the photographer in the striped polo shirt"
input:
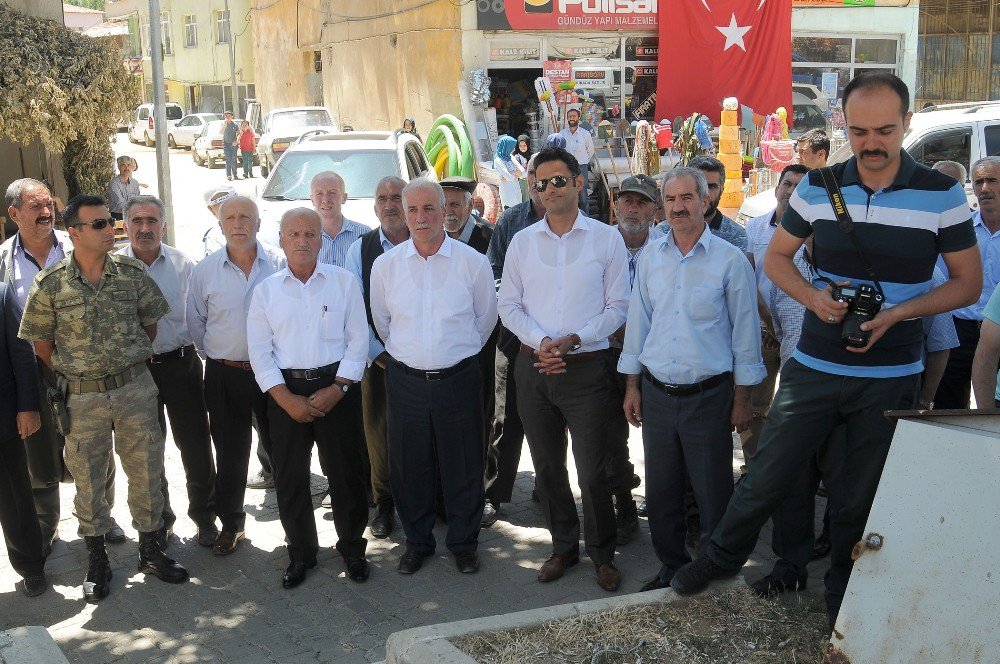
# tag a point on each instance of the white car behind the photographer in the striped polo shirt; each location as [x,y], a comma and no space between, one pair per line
[957,132]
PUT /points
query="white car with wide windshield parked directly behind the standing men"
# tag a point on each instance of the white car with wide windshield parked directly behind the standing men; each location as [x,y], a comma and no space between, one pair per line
[362,158]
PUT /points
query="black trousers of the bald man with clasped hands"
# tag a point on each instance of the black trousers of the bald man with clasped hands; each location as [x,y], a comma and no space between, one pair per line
[337,436]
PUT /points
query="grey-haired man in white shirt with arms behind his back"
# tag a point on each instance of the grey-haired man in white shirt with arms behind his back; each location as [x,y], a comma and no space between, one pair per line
[434,306]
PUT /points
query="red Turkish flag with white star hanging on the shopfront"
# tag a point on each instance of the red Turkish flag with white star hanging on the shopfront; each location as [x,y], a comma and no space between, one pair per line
[712,49]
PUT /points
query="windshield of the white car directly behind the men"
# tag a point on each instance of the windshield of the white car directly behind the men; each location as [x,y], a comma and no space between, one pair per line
[361,170]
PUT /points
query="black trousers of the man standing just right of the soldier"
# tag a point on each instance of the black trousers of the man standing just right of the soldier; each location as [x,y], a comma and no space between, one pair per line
[182,399]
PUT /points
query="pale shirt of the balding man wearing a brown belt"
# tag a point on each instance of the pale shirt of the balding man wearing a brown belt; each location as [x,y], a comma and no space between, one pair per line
[219,299]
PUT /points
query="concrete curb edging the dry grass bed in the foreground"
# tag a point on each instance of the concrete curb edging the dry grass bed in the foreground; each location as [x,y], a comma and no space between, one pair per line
[432,644]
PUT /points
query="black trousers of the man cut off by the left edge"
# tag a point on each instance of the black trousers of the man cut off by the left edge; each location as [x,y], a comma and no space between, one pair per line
[21,531]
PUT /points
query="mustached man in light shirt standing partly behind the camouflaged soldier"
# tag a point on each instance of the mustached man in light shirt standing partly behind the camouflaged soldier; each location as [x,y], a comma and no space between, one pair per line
[36,246]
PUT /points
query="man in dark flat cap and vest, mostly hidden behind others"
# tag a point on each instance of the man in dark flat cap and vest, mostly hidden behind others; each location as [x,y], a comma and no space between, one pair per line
[461,225]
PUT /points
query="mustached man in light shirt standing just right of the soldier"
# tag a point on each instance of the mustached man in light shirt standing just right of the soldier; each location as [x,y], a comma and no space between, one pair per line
[175,366]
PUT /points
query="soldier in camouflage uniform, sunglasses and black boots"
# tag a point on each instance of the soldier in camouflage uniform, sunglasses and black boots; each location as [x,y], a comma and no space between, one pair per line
[92,317]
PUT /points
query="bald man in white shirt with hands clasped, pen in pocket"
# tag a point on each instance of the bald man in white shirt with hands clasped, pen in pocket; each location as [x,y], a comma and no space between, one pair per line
[308,339]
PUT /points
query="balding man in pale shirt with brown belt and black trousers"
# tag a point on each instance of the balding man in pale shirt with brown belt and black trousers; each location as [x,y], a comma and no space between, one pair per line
[218,301]
